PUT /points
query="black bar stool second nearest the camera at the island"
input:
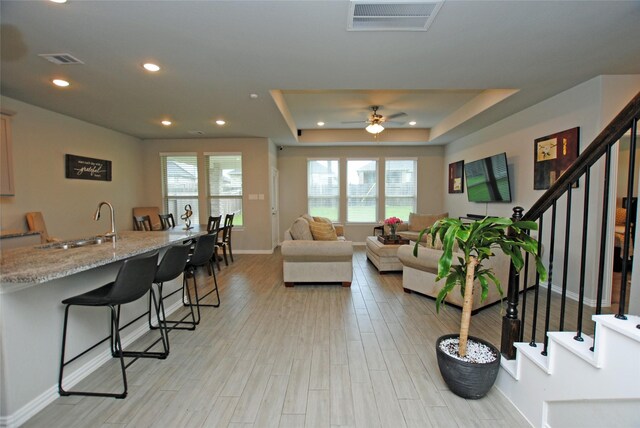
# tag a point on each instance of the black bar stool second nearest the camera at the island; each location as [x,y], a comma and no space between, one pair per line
[171,266]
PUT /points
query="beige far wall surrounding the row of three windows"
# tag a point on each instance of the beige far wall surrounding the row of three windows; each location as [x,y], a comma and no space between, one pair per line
[292,162]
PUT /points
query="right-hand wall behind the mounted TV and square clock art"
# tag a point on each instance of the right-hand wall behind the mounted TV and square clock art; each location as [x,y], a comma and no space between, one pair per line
[590,106]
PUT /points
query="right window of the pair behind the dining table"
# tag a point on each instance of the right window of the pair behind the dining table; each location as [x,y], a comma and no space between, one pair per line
[224,172]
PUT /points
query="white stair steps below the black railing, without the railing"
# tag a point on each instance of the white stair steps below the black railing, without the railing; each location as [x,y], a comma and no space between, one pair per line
[573,386]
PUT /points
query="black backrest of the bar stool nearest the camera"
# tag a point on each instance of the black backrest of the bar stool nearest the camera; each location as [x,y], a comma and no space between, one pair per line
[134,279]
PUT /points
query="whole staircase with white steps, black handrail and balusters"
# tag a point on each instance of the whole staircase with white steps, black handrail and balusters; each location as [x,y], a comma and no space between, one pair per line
[555,373]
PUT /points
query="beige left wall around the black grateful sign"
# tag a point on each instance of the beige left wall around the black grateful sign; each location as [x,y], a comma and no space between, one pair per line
[41,138]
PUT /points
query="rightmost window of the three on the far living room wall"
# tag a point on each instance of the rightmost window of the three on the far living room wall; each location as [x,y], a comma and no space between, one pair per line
[400,188]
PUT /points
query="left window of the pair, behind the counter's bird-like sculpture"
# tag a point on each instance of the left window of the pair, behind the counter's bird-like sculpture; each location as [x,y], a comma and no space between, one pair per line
[180,184]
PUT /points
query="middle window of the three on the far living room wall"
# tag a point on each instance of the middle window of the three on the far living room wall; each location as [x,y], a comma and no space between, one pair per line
[362,191]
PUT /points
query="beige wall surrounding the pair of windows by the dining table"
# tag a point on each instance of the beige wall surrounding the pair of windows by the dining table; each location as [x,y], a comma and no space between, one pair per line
[255,235]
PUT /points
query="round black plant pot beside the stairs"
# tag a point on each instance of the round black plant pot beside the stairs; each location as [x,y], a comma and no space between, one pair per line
[468,380]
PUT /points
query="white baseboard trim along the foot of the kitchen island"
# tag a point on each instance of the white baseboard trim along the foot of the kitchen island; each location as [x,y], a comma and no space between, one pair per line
[30,409]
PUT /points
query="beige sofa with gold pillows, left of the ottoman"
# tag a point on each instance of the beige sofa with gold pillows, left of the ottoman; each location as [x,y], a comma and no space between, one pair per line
[305,259]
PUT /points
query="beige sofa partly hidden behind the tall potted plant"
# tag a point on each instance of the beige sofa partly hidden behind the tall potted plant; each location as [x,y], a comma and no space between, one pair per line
[419,275]
